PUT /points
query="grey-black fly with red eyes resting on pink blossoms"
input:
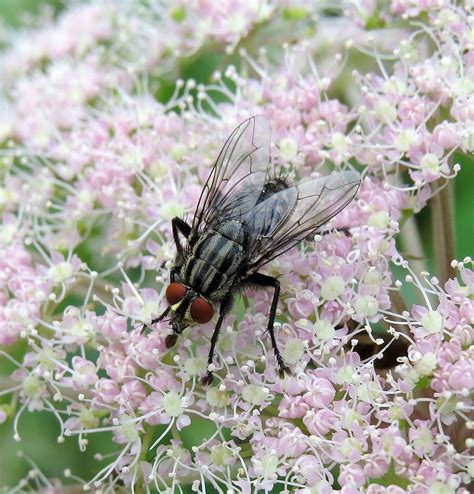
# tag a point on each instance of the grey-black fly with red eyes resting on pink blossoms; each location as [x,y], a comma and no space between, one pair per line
[245,218]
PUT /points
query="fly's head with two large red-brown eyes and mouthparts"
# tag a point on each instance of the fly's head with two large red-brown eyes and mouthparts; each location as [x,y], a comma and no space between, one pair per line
[188,308]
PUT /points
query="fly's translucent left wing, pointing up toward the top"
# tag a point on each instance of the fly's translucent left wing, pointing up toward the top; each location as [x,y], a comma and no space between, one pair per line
[237,178]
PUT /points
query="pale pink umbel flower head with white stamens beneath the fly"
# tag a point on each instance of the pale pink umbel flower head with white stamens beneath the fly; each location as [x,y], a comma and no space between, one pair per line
[106,136]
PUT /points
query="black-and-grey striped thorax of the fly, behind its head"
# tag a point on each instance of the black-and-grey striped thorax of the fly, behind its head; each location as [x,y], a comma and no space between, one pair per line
[215,259]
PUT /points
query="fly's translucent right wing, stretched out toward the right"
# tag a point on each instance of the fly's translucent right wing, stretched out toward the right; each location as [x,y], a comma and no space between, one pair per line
[289,216]
